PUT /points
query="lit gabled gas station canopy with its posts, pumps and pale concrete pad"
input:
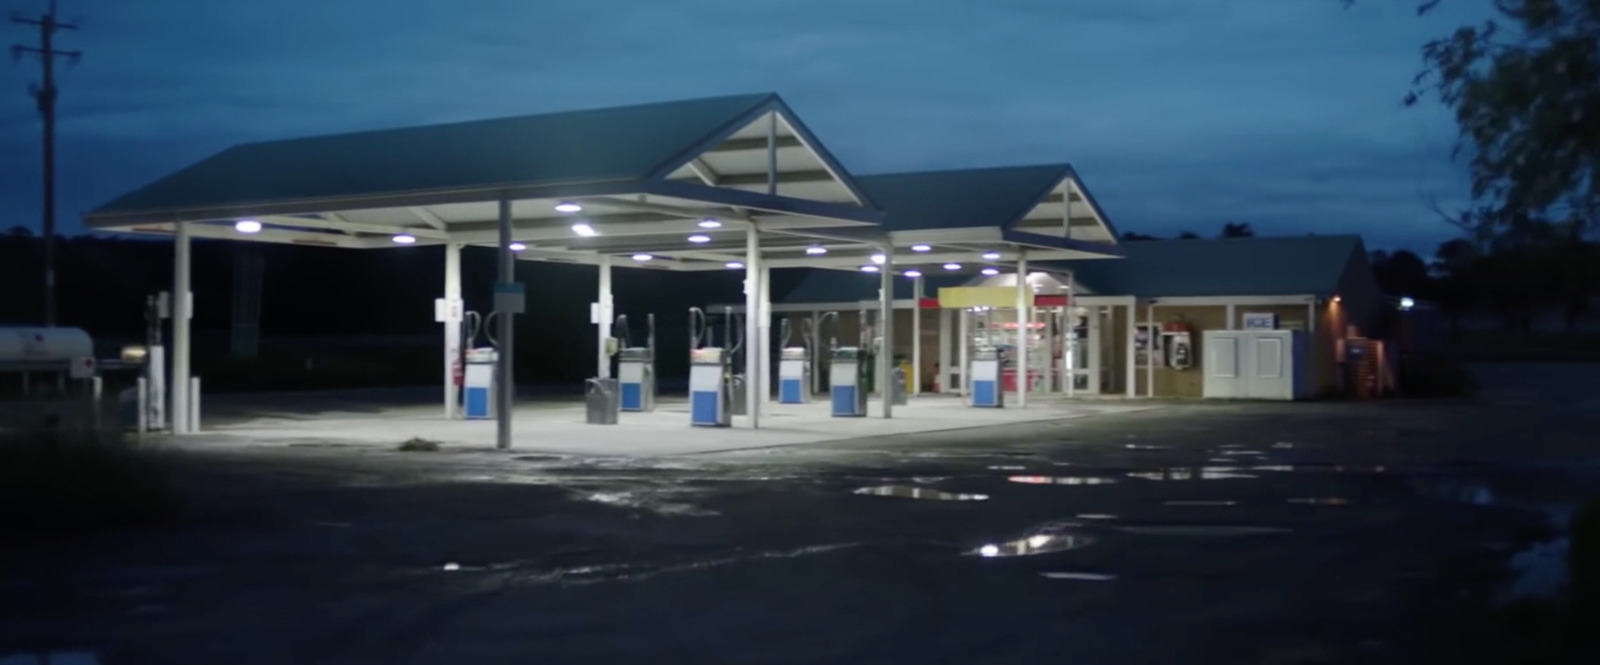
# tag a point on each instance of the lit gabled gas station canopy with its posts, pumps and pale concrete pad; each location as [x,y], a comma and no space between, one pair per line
[706,185]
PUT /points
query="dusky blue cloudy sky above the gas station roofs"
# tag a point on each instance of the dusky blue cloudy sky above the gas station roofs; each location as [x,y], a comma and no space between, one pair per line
[1180,114]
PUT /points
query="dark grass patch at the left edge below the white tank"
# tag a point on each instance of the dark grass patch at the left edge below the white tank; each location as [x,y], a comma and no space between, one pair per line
[55,482]
